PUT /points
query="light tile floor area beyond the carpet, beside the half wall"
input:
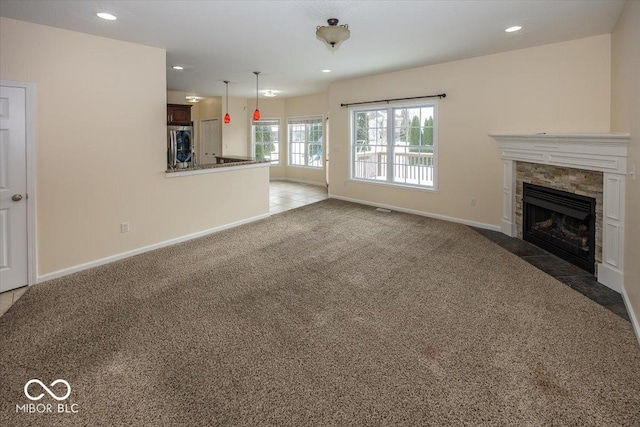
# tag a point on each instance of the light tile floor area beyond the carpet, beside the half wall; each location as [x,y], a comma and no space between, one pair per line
[285,195]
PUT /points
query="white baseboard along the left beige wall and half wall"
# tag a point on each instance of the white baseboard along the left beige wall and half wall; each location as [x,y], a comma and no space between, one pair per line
[116,257]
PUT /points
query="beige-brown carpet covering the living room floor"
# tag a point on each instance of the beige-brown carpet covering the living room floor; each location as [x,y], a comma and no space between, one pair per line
[330,314]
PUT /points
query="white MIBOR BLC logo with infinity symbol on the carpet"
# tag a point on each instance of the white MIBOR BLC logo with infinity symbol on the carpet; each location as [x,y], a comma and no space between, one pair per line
[35,390]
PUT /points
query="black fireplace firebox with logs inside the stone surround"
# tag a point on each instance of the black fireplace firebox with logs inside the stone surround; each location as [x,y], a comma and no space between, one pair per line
[561,223]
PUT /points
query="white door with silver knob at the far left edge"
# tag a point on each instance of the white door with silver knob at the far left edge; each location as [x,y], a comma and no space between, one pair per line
[13,188]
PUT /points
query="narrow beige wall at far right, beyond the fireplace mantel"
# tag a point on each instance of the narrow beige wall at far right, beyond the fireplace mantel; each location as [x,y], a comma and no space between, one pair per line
[625,117]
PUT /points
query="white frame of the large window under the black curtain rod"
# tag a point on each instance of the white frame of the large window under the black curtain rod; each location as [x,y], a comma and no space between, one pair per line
[390,134]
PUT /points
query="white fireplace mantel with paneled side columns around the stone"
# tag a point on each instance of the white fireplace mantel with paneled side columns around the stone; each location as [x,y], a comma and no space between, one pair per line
[605,152]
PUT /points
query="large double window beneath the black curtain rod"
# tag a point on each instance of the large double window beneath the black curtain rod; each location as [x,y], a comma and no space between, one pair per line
[395,145]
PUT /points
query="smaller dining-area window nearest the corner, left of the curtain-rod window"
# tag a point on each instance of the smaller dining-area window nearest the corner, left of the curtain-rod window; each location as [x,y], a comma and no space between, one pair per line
[305,141]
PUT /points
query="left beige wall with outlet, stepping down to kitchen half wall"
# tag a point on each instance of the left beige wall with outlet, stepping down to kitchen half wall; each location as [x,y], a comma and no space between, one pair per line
[101,149]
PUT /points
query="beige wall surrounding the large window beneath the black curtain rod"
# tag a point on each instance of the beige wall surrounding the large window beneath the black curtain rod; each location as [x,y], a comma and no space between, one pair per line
[562,87]
